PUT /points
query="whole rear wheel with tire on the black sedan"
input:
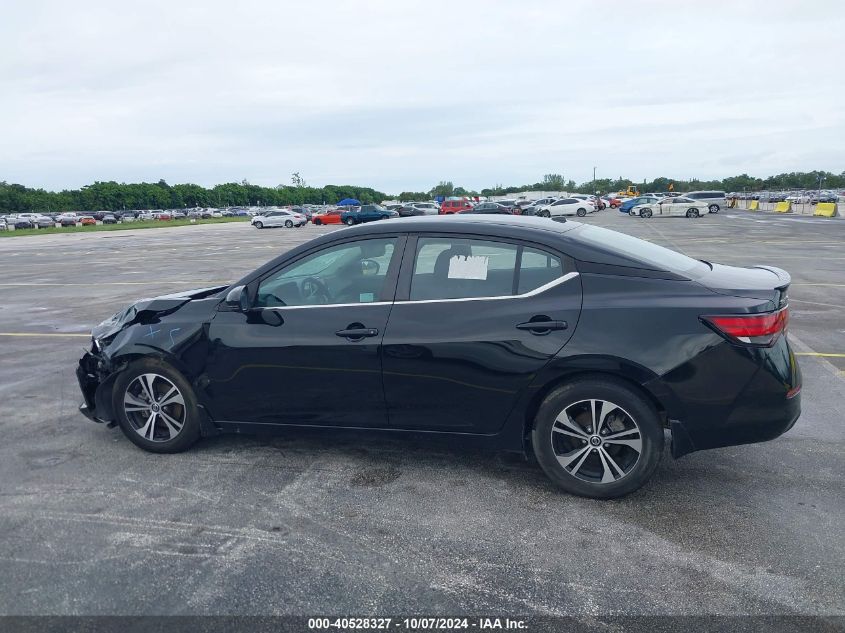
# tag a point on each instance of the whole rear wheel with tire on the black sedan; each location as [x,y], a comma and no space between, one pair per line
[564,449]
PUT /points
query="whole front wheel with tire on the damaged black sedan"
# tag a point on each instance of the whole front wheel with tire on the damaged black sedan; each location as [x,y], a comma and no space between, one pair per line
[128,402]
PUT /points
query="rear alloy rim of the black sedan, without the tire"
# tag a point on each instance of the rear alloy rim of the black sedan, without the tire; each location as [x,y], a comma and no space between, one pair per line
[596,441]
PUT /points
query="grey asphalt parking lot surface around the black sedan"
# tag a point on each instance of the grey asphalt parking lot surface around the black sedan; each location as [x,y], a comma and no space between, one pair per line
[311,523]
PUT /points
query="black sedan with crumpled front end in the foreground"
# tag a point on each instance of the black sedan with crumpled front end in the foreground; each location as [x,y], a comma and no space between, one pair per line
[576,343]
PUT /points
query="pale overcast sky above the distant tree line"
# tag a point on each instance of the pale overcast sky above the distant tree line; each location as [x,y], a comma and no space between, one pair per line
[401,94]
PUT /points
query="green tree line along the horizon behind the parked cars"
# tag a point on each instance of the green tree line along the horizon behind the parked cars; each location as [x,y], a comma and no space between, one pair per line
[113,196]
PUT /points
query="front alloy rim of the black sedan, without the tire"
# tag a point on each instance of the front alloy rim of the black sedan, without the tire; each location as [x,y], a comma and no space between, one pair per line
[154,407]
